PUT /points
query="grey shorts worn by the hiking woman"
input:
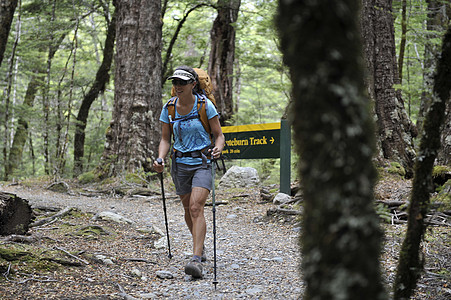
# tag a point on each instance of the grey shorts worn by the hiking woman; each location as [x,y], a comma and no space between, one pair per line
[185,177]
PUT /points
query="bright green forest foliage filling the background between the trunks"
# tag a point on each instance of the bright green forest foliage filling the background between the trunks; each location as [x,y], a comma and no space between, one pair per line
[77,31]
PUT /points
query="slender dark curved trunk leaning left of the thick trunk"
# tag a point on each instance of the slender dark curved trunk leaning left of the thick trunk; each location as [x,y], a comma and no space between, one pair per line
[101,80]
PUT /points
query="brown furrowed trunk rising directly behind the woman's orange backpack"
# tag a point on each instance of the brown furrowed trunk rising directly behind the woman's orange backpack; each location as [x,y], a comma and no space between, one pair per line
[222,56]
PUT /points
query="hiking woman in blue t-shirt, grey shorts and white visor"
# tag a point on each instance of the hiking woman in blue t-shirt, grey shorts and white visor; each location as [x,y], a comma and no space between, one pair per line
[191,154]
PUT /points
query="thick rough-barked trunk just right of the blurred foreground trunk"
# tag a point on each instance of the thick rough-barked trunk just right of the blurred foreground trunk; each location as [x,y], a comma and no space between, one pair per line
[394,128]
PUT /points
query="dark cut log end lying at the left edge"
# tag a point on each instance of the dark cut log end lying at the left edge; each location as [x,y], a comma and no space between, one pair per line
[15,214]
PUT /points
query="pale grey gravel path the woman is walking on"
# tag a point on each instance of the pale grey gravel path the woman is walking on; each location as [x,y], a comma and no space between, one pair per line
[256,258]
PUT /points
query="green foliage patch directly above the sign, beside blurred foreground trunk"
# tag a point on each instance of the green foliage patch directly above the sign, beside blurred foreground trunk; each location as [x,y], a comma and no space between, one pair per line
[264,83]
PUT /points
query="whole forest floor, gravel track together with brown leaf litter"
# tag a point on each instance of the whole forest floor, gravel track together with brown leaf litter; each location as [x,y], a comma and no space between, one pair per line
[257,249]
